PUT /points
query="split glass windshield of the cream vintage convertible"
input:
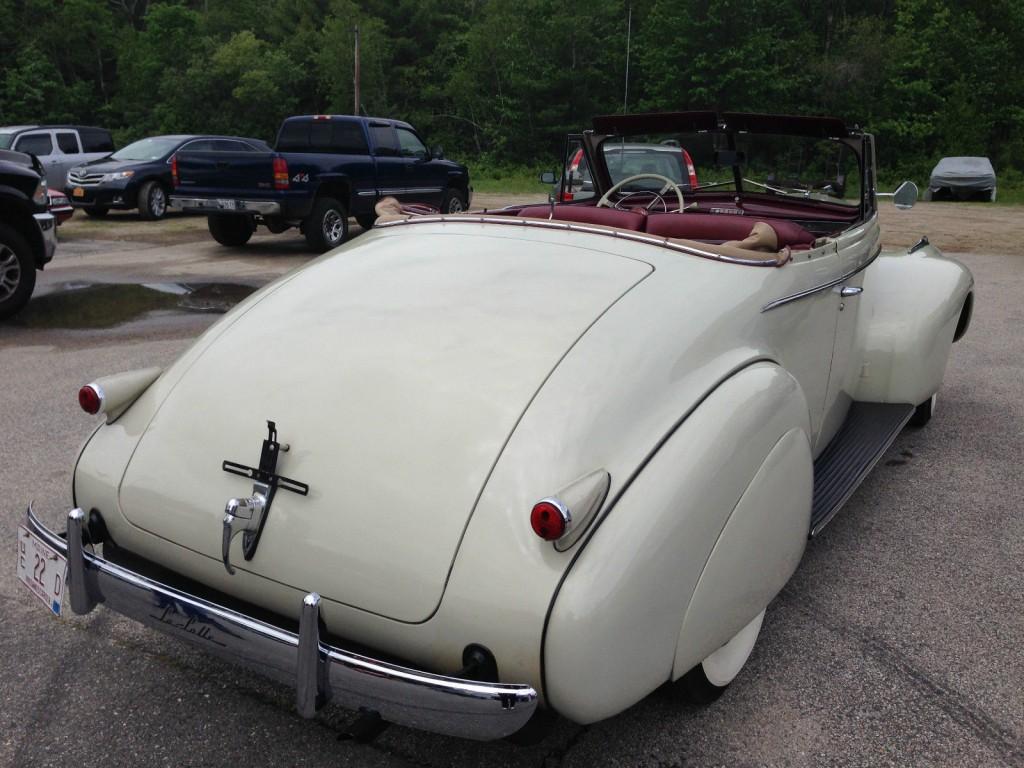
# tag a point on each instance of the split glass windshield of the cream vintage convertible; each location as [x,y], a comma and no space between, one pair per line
[770,164]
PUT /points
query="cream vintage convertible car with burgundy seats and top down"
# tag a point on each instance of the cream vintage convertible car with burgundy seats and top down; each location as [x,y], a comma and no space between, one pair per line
[471,467]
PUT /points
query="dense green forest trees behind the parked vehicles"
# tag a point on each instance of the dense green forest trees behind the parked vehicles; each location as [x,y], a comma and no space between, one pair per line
[500,83]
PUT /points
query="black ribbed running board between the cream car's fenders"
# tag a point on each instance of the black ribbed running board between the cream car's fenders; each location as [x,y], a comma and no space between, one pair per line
[869,431]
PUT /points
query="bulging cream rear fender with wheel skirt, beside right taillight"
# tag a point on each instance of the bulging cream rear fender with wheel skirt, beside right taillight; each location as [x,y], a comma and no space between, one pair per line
[615,625]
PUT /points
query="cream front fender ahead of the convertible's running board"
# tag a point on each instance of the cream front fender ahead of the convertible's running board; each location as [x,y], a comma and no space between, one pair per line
[913,308]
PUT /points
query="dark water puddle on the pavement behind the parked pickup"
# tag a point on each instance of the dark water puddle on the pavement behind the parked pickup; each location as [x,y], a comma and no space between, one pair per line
[88,306]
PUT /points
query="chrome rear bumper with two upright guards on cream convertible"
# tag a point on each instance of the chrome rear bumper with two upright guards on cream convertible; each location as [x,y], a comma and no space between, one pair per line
[320,673]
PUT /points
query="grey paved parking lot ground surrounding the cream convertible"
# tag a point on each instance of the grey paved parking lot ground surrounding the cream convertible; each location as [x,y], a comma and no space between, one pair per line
[900,642]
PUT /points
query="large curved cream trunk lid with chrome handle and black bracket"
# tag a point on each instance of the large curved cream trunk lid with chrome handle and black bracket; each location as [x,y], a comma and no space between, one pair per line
[396,373]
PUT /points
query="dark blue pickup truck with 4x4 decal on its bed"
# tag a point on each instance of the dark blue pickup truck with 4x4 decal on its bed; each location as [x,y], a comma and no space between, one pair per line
[324,169]
